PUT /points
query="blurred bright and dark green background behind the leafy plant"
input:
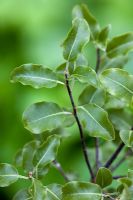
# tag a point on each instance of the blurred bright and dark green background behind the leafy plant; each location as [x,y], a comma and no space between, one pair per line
[31,31]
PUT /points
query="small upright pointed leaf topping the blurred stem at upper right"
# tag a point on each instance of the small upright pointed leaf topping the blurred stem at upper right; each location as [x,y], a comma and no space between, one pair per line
[101,42]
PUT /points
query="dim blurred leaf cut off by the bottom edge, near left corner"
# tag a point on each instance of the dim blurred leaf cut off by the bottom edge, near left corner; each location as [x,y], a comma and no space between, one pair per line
[22,195]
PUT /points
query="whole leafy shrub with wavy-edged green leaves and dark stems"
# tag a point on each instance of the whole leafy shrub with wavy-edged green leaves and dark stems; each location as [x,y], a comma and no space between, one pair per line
[104,112]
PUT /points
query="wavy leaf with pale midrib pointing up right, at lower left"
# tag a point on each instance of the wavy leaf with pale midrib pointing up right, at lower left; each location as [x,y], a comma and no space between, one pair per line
[47,152]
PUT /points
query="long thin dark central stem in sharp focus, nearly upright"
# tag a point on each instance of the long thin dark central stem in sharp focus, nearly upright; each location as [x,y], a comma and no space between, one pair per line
[84,148]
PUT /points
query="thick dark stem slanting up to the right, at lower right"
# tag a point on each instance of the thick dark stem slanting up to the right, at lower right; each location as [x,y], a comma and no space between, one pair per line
[114,156]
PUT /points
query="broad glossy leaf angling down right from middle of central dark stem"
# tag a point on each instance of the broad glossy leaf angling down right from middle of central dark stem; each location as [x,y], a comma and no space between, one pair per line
[96,121]
